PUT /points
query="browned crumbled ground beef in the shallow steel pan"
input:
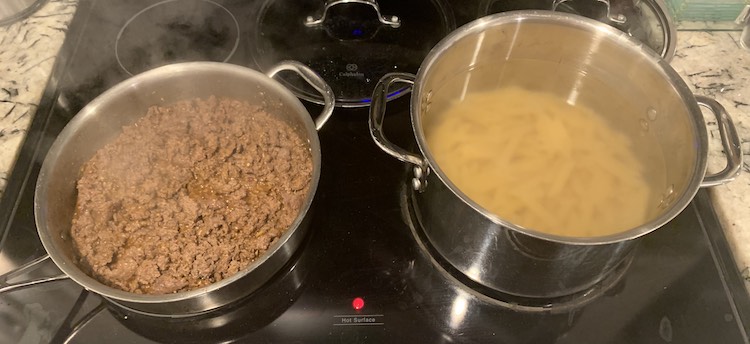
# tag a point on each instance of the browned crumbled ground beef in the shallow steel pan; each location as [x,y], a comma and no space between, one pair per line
[188,195]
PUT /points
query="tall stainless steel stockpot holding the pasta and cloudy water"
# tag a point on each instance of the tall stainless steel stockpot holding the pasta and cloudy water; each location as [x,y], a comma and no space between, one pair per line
[571,56]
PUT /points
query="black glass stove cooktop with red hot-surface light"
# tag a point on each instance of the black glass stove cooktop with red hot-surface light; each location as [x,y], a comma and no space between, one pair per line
[364,273]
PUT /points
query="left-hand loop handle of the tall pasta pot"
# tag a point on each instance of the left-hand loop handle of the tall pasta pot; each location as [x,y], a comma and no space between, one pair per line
[377,114]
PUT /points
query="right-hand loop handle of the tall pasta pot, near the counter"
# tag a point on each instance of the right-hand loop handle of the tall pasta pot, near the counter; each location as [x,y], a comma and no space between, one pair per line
[729,140]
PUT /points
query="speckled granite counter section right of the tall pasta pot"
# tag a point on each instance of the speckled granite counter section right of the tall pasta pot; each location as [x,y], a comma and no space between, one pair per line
[714,64]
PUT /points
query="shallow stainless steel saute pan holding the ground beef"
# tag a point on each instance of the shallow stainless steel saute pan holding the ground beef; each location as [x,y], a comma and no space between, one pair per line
[102,120]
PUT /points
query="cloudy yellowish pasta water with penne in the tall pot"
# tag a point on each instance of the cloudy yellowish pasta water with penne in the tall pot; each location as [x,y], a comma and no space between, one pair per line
[535,160]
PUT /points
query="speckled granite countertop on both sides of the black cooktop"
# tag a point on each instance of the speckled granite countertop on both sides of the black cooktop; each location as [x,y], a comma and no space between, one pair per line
[712,63]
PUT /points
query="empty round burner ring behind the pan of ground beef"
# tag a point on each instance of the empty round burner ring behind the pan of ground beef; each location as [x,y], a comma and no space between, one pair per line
[177,31]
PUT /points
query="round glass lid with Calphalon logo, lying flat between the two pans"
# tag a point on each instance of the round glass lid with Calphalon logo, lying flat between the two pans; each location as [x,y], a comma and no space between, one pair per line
[350,43]
